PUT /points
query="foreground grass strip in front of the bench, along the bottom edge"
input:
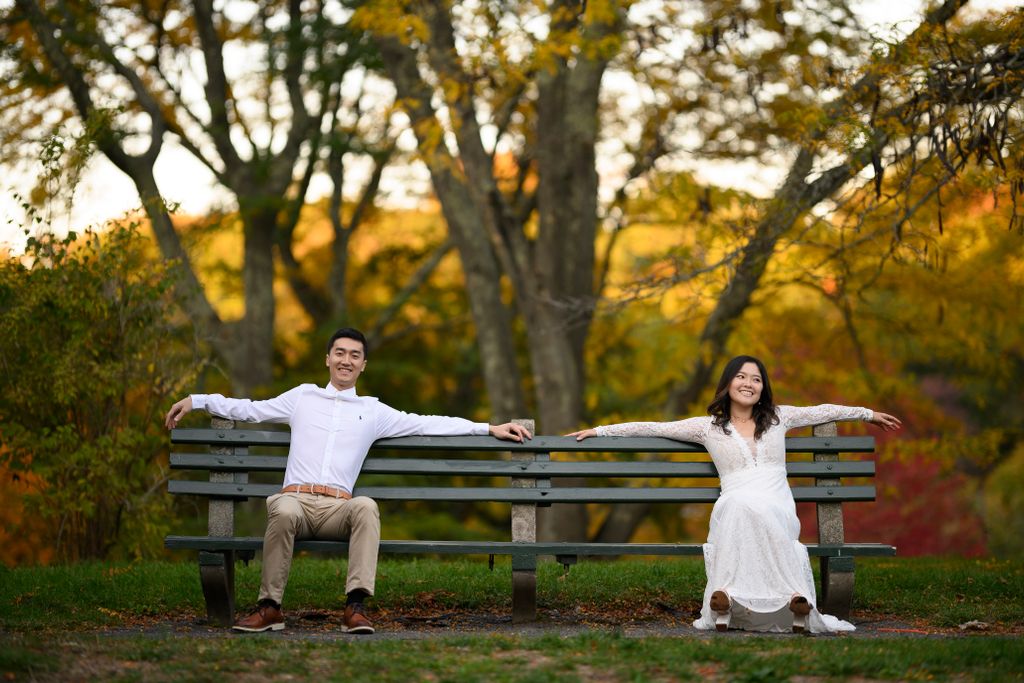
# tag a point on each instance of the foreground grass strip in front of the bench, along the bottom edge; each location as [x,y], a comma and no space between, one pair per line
[604,657]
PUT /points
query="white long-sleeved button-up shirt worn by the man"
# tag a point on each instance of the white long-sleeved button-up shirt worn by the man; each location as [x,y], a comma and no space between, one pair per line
[332,431]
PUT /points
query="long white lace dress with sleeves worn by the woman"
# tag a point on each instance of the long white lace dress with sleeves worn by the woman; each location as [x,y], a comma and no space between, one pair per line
[753,551]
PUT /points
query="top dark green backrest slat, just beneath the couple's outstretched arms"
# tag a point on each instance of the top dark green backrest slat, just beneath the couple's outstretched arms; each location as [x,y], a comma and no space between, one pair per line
[251,438]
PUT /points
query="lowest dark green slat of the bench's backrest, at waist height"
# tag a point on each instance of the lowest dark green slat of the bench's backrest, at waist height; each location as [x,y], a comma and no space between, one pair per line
[509,495]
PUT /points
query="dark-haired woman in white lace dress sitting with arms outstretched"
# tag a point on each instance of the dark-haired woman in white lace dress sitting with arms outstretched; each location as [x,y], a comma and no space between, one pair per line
[759,574]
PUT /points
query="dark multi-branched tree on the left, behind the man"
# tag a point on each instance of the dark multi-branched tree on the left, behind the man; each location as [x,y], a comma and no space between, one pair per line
[251,92]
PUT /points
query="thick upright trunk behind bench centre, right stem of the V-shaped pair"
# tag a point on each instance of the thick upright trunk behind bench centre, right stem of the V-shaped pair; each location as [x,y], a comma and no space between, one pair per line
[560,309]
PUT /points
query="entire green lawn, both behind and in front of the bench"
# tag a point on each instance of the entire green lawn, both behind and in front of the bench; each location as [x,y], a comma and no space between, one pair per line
[87,623]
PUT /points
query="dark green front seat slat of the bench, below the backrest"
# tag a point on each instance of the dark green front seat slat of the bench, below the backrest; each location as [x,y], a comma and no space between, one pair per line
[509,548]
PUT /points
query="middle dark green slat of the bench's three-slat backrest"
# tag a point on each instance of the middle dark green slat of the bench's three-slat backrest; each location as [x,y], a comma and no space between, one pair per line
[518,469]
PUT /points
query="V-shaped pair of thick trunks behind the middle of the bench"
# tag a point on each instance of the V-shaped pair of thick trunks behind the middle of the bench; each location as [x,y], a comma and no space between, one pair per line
[553,279]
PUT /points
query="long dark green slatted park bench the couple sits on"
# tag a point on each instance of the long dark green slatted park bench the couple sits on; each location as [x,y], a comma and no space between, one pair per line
[521,476]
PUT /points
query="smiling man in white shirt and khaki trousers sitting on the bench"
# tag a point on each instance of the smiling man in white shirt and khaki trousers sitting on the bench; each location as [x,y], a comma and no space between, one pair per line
[332,432]
